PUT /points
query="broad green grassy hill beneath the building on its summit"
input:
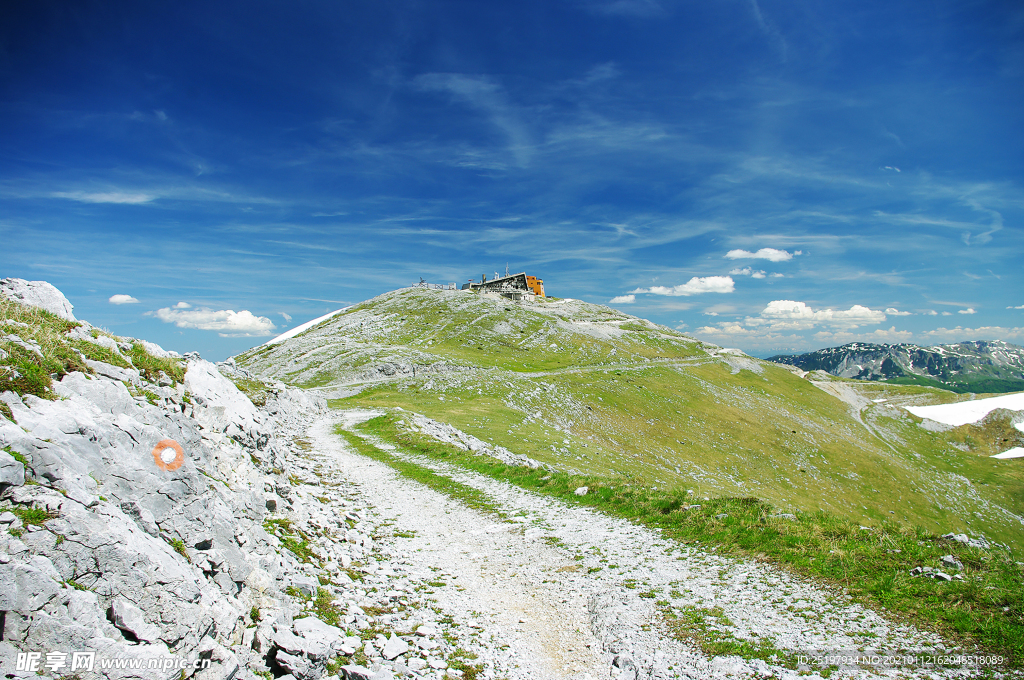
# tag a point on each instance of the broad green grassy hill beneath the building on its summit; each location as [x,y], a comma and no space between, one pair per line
[588,389]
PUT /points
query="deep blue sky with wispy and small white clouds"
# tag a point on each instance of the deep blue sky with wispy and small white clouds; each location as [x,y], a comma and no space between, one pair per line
[770,176]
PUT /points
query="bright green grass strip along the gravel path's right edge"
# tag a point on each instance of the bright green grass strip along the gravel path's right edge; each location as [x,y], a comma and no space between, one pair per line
[987,609]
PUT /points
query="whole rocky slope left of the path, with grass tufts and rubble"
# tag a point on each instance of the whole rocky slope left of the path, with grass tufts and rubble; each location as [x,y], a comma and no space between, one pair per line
[167,525]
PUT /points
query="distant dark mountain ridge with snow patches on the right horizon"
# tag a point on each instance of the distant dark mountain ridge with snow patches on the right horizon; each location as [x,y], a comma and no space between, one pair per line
[966,367]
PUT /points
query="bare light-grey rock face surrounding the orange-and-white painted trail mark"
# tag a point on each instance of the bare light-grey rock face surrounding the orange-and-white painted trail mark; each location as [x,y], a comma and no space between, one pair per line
[131,560]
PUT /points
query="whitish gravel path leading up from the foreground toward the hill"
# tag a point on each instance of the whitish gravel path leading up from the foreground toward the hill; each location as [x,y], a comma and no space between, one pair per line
[559,591]
